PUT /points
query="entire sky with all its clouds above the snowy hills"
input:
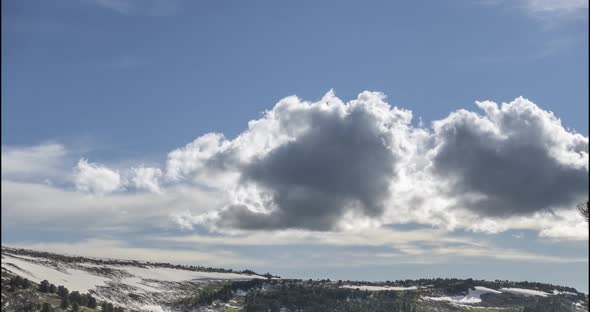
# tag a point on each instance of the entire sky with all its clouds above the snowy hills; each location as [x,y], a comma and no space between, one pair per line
[374,141]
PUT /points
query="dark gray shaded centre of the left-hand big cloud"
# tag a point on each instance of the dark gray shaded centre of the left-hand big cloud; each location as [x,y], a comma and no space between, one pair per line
[340,164]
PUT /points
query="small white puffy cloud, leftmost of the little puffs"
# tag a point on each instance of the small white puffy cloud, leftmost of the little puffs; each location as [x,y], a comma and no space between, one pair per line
[96,179]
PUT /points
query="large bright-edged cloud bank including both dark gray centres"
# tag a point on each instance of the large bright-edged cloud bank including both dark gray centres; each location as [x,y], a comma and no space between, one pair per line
[330,165]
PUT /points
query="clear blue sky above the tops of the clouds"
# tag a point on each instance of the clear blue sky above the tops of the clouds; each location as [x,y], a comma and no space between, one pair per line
[146,84]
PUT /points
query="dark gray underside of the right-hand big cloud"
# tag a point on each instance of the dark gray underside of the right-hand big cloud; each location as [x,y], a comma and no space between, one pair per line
[513,177]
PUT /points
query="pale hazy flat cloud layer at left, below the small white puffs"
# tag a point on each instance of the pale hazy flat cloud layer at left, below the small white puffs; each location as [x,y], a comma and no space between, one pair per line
[47,207]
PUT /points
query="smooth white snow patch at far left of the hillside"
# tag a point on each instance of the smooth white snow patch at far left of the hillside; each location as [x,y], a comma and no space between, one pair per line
[72,279]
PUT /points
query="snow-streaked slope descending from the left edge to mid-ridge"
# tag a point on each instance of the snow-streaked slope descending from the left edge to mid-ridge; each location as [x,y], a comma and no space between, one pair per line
[138,285]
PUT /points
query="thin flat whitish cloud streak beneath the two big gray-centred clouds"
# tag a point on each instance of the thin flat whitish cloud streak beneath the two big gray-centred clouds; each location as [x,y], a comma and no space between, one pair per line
[384,244]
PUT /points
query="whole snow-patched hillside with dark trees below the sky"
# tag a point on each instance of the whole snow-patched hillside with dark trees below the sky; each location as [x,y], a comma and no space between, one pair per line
[145,286]
